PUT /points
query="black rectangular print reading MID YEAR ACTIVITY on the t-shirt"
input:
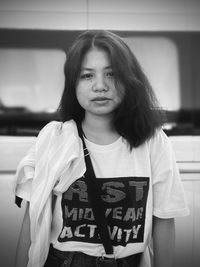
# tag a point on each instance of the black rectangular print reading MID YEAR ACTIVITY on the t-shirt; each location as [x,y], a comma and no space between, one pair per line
[124,202]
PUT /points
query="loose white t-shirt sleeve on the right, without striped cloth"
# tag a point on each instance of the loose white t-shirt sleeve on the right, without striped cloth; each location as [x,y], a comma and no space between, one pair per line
[169,198]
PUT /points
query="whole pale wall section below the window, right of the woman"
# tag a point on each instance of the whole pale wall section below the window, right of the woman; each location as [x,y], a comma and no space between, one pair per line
[187,150]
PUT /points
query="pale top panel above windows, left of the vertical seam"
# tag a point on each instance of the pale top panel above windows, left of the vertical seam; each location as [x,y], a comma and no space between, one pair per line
[44,14]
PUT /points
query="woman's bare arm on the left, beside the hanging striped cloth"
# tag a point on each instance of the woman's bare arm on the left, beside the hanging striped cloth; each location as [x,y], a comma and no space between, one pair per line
[24,241]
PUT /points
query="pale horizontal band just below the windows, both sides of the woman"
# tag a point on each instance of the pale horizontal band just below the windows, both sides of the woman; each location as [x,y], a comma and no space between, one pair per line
[187,152]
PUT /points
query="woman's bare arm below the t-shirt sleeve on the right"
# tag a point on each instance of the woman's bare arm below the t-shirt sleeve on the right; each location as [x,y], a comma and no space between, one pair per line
[163,242]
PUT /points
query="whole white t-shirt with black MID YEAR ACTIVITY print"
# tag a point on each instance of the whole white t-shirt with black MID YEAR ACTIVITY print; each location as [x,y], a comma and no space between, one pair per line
[134,186]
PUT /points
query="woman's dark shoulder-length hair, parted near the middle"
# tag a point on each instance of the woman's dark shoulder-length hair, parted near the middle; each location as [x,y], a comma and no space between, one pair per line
[139,115]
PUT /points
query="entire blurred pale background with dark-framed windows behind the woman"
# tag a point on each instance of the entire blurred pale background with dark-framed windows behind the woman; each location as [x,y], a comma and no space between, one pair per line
[34,38]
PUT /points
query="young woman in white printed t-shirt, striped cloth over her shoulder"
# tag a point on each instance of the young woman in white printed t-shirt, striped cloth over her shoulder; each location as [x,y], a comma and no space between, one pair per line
[109,106]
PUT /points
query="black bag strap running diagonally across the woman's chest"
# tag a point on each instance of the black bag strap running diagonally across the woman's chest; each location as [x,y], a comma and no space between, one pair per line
[95,198]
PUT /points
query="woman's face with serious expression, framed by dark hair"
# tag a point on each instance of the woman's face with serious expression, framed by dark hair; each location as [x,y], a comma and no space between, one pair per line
[95,88]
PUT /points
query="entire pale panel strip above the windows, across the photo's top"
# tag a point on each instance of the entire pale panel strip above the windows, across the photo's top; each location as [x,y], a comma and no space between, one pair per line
[146,15]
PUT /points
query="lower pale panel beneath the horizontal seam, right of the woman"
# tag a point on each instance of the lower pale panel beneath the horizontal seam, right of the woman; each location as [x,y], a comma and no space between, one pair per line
[187,228]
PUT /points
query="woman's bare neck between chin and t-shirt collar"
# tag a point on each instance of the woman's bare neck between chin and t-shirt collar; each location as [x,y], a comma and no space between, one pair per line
[99,130]
